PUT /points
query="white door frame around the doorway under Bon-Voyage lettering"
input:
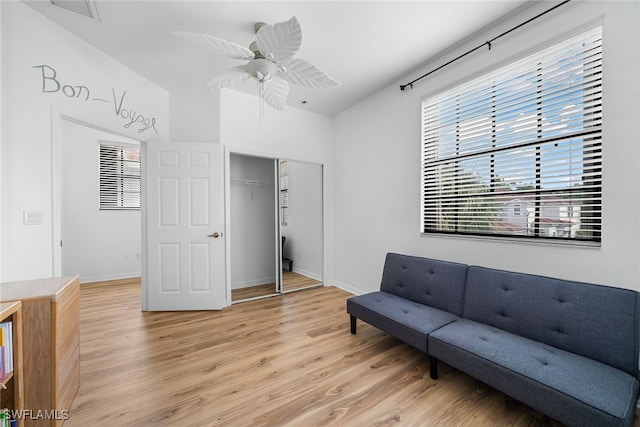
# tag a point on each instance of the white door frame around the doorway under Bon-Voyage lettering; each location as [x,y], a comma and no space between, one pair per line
[57,146]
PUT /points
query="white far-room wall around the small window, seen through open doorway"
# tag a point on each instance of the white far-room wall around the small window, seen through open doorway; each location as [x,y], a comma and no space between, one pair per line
[98,244]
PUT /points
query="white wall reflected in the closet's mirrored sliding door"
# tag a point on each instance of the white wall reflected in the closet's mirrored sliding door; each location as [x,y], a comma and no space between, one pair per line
[304,227]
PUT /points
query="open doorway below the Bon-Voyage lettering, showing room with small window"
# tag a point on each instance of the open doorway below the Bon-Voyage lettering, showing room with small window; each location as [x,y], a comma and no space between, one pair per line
[100,236]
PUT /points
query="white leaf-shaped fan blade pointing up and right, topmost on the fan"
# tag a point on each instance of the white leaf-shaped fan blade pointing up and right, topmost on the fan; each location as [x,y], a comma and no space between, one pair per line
[281,41]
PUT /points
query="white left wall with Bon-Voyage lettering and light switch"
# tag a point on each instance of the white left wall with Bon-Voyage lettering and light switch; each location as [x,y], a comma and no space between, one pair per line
[30,124]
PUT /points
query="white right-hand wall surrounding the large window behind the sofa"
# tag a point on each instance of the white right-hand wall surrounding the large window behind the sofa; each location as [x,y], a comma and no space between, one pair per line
[377,173]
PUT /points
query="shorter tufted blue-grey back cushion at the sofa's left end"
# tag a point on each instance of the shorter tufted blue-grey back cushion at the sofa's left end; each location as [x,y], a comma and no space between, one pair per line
[435,283]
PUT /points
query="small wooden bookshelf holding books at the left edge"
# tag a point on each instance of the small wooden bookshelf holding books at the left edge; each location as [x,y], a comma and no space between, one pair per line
[12,397]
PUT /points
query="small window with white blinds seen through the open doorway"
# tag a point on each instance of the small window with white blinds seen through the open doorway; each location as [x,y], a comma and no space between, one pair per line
[120,167]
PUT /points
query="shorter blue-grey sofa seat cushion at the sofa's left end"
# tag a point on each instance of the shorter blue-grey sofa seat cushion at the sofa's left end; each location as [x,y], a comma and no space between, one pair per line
[407,320]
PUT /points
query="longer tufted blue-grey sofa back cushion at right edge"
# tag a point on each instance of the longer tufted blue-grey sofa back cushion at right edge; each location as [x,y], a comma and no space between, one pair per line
[598,322]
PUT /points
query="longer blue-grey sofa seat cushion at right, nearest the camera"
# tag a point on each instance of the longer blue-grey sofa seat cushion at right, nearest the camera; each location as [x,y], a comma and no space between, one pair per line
[571,388]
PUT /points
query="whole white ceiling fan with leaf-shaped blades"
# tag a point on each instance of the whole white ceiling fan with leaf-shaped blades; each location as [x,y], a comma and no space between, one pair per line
[271,61]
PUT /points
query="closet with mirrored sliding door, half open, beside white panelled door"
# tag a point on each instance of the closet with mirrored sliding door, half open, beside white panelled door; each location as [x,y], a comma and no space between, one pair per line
[275,226]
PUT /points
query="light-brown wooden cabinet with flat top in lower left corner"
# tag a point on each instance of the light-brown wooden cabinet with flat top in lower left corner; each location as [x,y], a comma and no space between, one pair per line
[51,344]
